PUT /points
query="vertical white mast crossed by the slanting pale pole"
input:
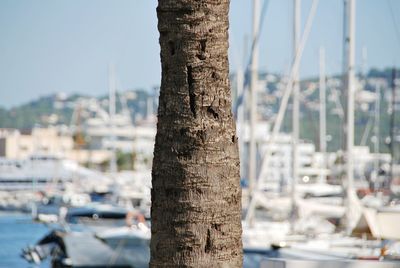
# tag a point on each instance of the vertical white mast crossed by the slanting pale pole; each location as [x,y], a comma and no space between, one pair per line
[296,105]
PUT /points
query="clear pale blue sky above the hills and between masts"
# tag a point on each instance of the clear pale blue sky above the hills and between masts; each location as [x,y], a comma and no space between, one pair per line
[48,46]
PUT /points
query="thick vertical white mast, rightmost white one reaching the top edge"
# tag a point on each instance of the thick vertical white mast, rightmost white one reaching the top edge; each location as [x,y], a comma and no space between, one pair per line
[350,105]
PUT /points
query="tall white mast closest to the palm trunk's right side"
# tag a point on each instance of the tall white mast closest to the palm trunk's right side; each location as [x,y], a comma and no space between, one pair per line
[253,96]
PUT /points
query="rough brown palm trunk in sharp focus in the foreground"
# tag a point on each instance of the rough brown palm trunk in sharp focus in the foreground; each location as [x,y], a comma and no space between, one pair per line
[196,195]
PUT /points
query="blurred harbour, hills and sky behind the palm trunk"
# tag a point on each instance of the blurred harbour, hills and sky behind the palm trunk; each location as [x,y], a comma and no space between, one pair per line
[315,92]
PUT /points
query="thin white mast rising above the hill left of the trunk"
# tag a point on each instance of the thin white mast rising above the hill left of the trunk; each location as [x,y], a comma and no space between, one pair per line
[111,107]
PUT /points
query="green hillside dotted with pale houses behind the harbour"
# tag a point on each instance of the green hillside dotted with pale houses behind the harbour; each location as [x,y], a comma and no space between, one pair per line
[58,109]
